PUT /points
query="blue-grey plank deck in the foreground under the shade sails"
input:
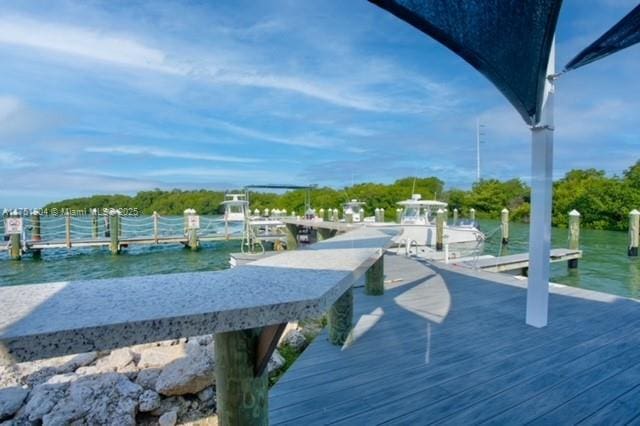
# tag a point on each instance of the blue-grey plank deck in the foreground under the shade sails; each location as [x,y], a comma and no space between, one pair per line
[449,345]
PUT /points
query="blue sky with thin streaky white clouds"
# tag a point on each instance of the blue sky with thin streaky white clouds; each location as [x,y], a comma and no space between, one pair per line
[105,97]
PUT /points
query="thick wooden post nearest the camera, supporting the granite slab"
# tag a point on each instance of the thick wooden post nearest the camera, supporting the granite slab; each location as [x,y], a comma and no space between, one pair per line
[241,396]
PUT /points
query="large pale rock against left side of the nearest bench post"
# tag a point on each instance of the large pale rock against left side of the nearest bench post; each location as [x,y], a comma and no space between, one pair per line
[188,375]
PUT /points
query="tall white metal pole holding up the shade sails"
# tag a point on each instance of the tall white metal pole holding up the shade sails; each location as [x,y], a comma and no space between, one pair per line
[541,198]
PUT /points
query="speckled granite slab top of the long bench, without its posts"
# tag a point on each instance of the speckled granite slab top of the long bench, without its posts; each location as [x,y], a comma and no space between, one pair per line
[52,319]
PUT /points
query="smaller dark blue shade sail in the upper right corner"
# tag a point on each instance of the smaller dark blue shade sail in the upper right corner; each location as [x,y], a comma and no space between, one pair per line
[623,34]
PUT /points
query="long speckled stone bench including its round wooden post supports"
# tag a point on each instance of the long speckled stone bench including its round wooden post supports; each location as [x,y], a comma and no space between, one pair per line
[246,307]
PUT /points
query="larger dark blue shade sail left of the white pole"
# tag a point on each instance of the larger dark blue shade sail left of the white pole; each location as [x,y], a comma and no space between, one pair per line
[508,41]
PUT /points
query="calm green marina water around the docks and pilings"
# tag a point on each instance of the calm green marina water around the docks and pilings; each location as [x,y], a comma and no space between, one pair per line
[604,267]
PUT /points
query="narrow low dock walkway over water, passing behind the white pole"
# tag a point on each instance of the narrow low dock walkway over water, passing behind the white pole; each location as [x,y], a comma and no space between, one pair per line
[518,261]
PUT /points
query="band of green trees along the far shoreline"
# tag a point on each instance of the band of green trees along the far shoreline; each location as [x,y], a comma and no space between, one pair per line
[604,202]
